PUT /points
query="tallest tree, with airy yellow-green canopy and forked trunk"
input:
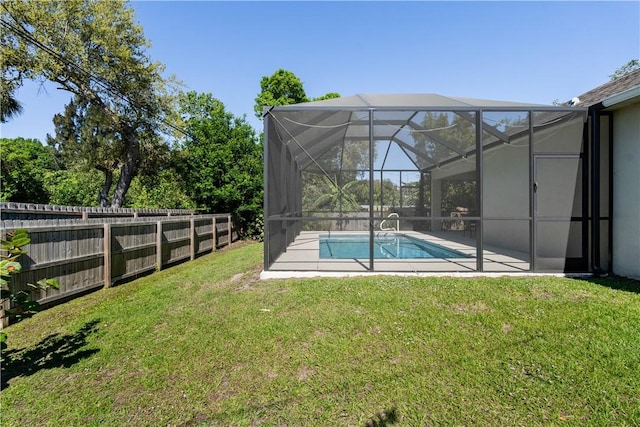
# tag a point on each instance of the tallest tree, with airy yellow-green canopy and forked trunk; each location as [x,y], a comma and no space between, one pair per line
[94,50]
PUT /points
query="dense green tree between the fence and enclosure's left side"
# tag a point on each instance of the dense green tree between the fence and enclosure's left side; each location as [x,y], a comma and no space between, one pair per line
[222,161]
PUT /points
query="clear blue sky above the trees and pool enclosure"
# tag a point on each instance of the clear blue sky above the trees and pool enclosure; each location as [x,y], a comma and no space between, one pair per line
[533,52]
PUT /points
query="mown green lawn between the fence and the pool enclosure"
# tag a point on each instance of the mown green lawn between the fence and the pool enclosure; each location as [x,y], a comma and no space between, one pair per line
[206,343]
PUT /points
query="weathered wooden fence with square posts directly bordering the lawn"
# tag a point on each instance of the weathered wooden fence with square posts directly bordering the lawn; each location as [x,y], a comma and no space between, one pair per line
[84,255]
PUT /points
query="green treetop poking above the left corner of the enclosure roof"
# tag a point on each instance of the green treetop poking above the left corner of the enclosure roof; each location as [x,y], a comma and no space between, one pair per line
[282,88]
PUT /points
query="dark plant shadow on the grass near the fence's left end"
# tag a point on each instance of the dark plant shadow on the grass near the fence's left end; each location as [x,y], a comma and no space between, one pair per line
[54,351]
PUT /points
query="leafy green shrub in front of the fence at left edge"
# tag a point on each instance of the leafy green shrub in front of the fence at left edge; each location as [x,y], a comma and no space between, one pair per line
[21,304]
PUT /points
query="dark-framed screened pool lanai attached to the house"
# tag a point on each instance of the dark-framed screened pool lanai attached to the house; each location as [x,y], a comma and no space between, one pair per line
[502,182]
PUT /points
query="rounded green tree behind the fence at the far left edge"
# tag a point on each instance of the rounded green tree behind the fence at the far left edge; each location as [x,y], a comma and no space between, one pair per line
[23,163]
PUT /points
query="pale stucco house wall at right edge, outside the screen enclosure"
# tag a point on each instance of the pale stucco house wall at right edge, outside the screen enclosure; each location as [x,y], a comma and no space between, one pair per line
[626,191]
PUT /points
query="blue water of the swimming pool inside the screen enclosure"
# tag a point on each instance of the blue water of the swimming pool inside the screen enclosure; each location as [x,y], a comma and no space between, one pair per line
[386,246]
